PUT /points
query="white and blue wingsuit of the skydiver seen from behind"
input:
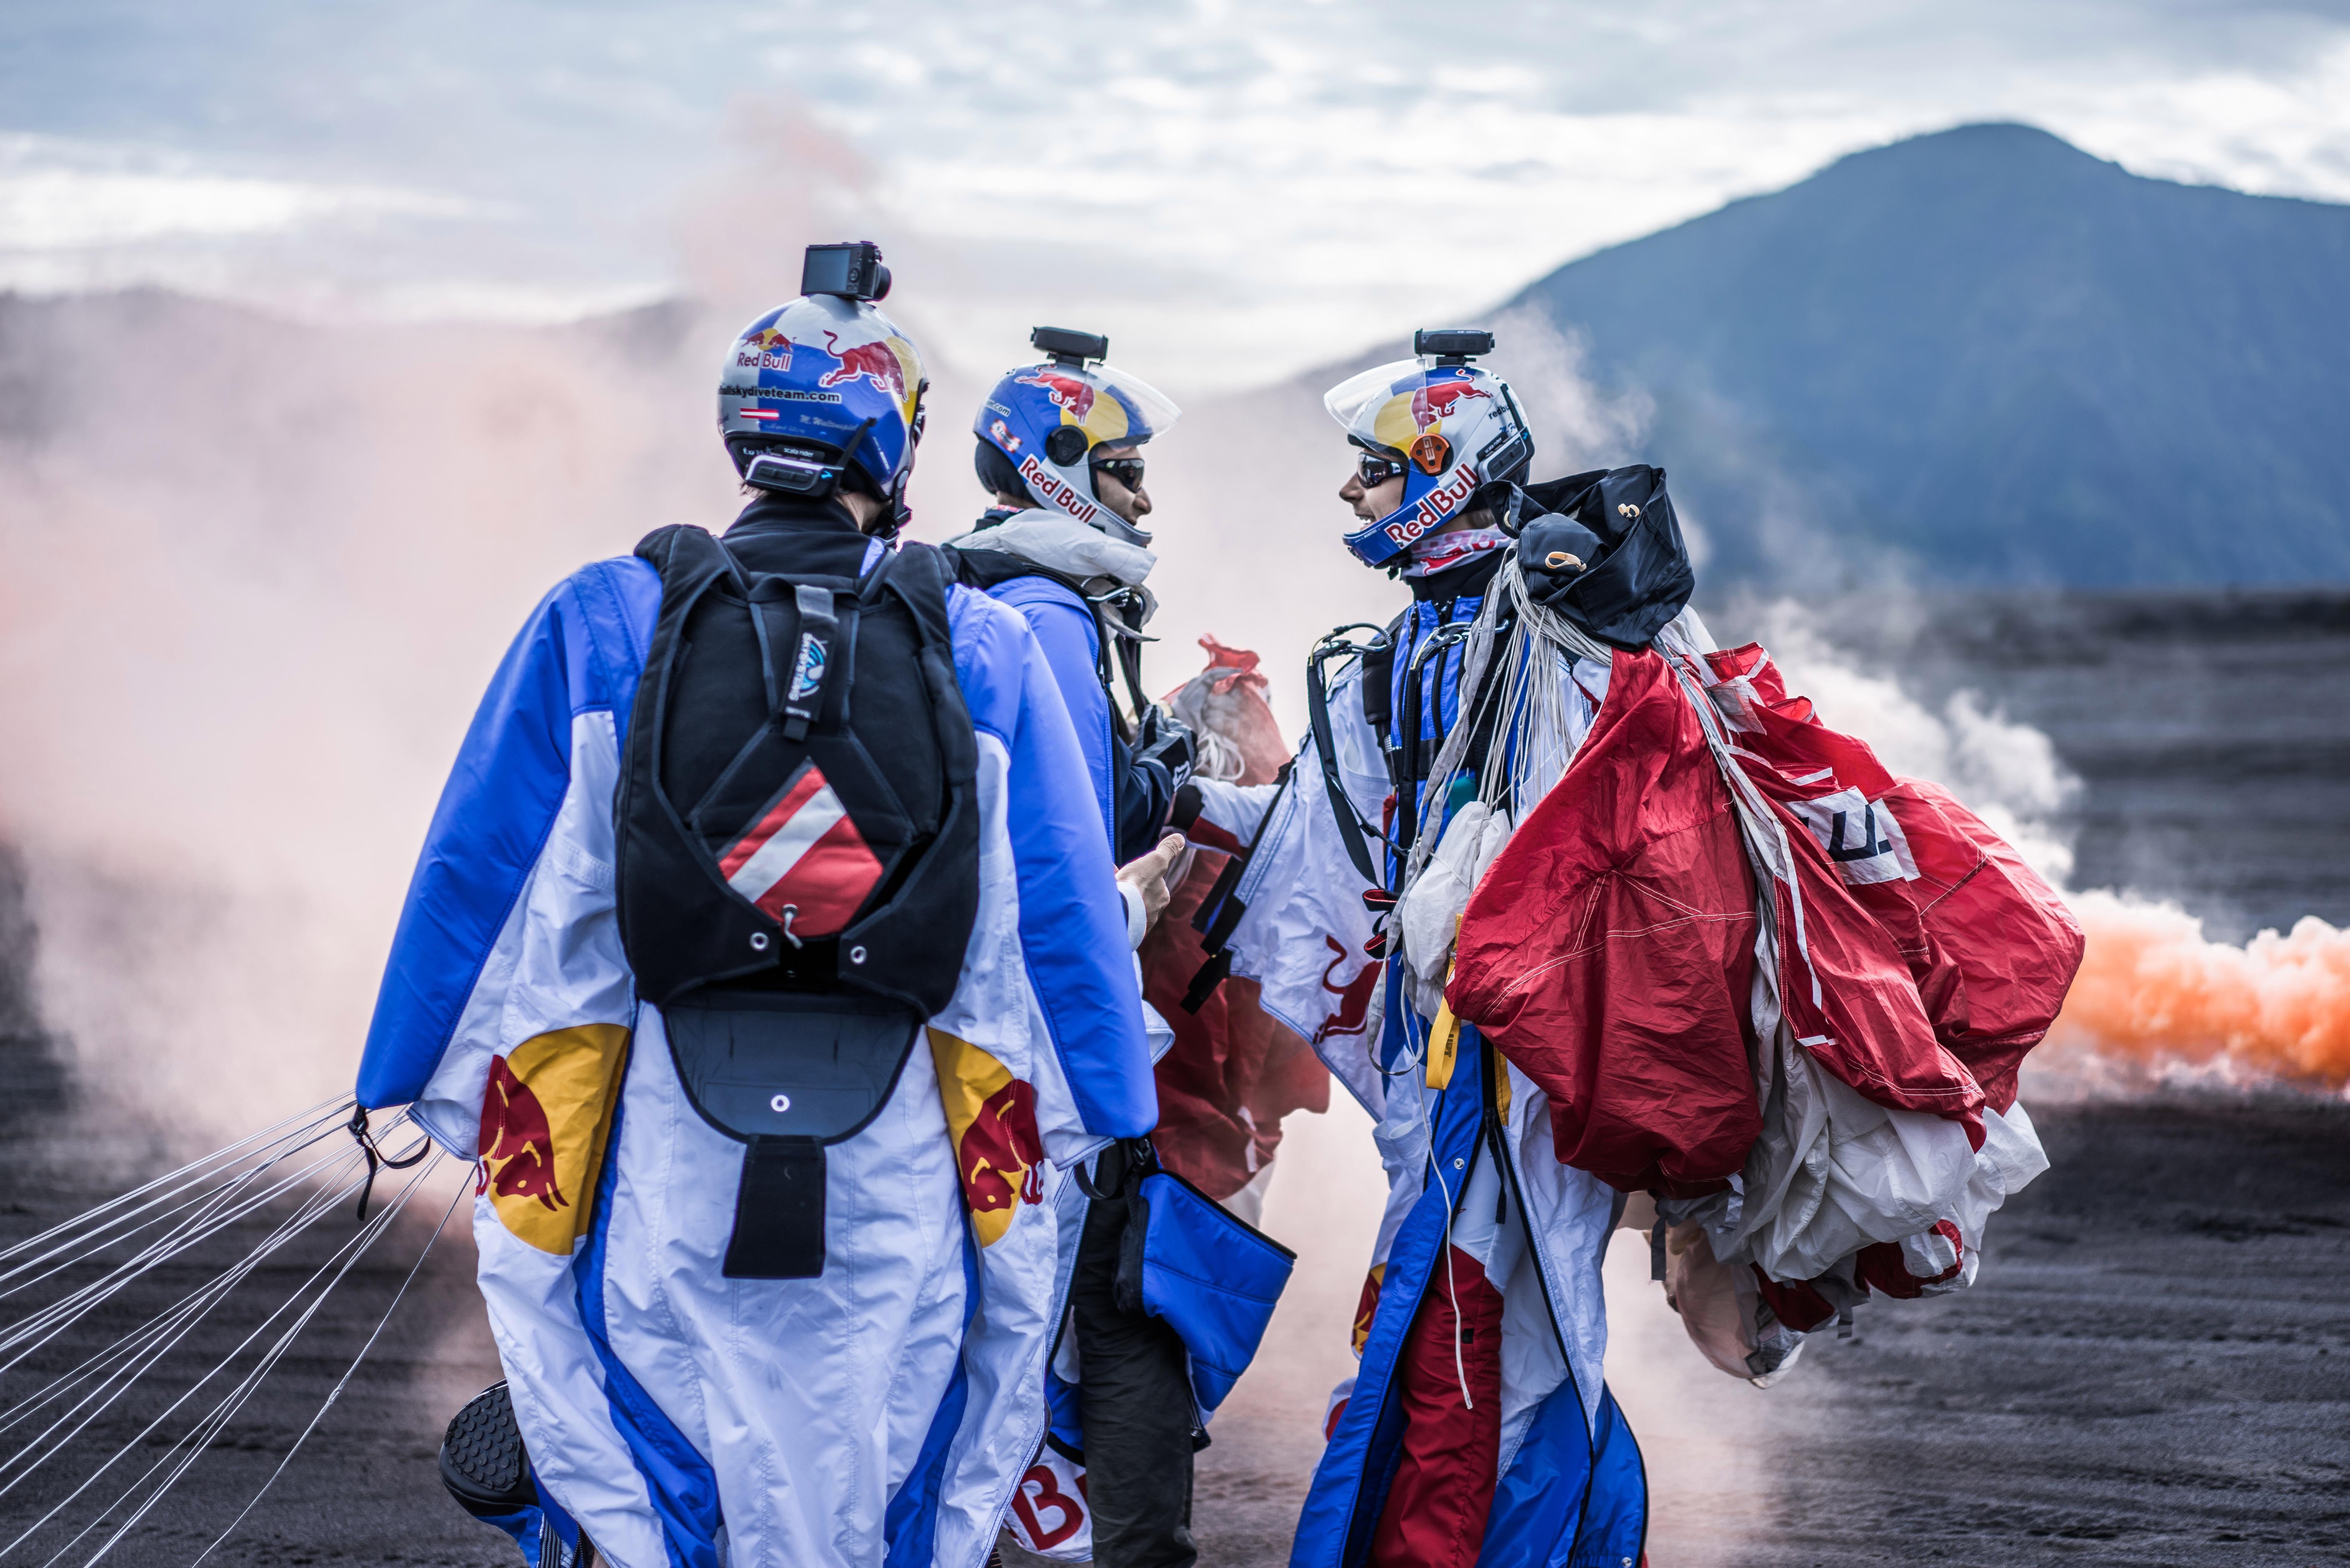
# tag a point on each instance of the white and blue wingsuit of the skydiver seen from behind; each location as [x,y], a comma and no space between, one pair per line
[882,1412]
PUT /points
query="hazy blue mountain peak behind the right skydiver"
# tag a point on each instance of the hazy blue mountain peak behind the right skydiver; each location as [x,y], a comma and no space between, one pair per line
[1989,359]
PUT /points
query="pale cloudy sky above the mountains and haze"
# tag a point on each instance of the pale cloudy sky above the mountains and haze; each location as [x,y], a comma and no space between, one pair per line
[1233,192]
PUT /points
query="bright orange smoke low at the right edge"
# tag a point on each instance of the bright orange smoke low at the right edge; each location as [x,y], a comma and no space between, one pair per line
[2154,989]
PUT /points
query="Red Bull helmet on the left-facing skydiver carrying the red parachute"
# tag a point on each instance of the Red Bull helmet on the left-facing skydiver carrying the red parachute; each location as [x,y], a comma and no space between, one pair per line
[1451,424]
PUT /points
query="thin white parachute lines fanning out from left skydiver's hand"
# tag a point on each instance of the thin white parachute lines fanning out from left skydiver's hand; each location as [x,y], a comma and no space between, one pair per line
[116,1430]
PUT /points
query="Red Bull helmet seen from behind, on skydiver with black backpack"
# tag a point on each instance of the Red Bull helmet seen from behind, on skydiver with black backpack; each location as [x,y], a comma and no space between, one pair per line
[821,387]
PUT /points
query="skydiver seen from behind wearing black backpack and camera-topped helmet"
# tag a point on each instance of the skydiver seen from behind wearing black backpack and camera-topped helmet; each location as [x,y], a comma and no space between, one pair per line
[767,953]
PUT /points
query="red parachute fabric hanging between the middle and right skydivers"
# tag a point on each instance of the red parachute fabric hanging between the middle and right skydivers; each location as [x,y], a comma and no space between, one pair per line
[1235,1068]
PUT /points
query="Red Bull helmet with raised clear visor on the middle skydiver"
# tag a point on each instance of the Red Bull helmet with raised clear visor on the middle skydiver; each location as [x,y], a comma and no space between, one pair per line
[1049,420]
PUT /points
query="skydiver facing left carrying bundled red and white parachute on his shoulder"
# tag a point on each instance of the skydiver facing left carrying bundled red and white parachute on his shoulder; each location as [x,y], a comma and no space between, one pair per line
[1583,909]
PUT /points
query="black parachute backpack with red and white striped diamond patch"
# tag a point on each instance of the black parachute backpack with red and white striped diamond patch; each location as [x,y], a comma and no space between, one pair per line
[798,843]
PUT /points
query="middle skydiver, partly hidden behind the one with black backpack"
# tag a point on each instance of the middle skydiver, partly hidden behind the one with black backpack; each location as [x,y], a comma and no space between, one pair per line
[1061,457]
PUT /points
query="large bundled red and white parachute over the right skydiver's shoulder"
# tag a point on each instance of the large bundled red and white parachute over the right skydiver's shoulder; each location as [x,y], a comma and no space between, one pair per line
[1761,977]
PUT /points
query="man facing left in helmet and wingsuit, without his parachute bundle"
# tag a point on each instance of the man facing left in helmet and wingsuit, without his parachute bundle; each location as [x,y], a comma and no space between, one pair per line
[1479,1426]
